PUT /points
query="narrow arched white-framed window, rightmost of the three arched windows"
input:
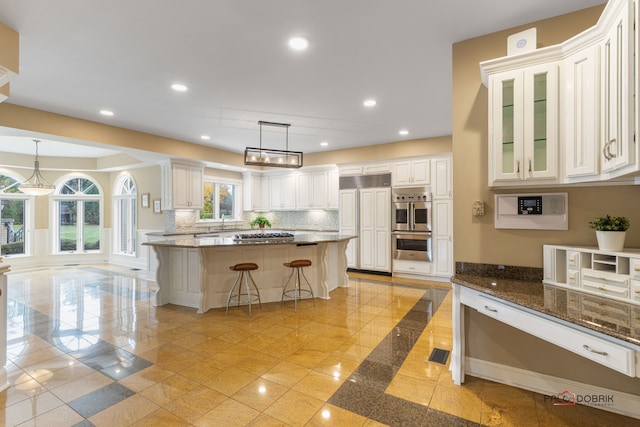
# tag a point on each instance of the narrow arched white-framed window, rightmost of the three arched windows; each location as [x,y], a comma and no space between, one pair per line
[124,219]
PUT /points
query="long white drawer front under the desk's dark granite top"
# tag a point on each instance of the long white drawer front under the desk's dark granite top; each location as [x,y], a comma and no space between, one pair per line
[612,355]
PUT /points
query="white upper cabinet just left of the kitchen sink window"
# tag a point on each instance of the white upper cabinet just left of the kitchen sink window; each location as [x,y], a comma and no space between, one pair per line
[182,185]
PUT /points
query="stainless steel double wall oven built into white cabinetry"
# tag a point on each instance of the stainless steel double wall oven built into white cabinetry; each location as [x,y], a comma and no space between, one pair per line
[411,216]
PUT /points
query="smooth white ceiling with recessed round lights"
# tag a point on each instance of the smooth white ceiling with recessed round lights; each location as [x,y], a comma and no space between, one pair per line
[80,57]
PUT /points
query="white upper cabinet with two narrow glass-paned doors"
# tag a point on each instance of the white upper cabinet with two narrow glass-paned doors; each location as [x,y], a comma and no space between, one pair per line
[523,125]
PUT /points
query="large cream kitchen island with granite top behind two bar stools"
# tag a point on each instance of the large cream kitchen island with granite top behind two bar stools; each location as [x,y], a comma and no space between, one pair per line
[194,271]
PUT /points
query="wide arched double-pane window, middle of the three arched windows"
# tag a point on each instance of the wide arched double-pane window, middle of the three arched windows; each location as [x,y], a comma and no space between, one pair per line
[78,216]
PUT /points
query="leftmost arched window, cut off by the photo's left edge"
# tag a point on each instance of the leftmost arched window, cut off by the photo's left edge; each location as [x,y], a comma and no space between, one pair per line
[14,206]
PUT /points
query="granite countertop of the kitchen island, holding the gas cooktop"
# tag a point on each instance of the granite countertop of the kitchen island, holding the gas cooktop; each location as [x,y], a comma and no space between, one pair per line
[205,242]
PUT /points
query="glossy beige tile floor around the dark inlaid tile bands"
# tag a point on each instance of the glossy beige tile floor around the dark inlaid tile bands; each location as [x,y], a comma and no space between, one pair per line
[278,367]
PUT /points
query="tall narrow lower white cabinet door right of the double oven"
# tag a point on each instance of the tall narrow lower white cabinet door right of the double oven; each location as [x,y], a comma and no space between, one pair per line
[442,237]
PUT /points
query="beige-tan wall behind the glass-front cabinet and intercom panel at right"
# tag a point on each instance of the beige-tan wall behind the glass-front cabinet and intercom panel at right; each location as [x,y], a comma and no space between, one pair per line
[475,238]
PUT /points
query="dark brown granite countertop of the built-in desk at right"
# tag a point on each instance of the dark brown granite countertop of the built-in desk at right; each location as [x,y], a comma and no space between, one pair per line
[615,318]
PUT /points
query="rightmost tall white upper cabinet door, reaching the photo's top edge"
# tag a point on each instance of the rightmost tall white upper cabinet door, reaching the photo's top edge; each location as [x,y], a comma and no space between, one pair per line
[617,89]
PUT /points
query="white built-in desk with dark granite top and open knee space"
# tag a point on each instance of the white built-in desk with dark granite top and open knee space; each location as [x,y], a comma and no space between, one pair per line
[597,328]
